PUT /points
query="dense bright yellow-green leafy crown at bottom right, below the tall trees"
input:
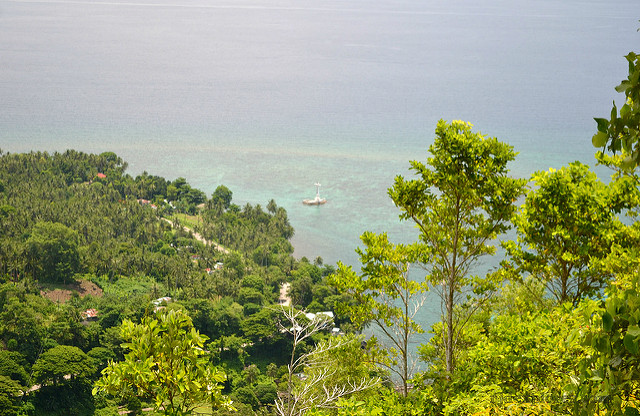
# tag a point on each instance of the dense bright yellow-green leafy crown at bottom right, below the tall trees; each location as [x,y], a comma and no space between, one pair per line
[518,364]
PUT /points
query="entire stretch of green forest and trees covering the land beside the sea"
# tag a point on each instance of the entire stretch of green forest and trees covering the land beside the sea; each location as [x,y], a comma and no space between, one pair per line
[142,295]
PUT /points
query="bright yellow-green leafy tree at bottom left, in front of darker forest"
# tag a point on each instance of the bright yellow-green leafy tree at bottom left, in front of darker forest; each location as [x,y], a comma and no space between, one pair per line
[166,362]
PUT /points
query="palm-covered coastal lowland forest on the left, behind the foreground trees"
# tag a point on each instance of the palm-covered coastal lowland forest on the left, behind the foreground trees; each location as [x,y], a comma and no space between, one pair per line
[80,235]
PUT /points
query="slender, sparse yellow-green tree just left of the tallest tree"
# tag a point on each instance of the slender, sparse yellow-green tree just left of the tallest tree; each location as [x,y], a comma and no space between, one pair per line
[385,295]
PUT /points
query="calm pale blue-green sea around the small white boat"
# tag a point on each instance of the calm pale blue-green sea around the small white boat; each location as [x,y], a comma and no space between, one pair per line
[269,97]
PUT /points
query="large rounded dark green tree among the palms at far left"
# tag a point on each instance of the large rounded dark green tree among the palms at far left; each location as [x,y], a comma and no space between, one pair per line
[53,251]
